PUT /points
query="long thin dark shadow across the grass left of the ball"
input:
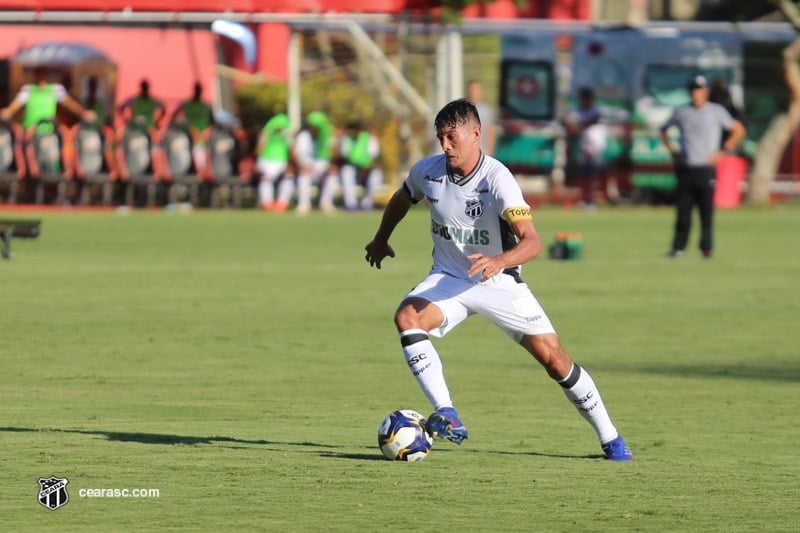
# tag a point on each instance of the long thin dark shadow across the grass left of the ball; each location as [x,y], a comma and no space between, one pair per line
[168,439]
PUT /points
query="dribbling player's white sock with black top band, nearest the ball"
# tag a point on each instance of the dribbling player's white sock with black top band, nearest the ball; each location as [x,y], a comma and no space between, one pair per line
[425,364]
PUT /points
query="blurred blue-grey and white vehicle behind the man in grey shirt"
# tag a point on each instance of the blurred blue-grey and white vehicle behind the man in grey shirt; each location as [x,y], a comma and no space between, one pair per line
[640,76]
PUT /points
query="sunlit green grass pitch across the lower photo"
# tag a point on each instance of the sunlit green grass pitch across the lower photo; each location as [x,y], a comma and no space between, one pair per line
[240,363]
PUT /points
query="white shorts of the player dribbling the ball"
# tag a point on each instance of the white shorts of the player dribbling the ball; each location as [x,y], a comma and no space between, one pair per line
[511,306]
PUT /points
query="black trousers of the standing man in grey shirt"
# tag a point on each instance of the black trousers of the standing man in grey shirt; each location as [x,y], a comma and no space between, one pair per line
[695,187]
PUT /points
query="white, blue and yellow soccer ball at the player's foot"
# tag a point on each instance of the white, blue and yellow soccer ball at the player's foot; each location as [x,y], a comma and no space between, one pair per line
[402,436]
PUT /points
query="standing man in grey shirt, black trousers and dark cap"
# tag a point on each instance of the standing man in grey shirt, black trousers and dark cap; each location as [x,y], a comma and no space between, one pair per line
[701,127]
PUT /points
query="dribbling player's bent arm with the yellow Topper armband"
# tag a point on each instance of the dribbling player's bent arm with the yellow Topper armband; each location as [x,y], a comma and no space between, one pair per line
[529,245]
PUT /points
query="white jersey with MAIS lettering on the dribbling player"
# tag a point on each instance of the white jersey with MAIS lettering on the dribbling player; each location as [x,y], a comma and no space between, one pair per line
[467,216]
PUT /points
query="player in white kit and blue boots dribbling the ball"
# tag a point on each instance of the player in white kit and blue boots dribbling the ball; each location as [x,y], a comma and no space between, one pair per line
[482,232]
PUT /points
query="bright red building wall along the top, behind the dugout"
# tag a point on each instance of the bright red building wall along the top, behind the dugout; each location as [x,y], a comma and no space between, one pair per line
[173,59]
